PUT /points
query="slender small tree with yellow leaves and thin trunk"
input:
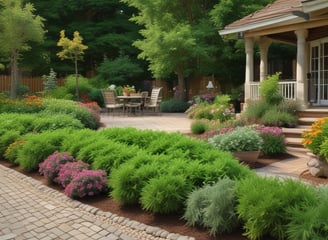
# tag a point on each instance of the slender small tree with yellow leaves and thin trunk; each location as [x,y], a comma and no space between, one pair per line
[72,49]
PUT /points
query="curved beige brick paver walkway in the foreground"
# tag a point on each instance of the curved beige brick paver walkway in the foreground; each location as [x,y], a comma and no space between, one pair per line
[31,210]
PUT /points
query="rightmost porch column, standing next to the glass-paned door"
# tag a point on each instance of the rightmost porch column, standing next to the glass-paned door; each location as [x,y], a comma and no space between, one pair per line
[301,65]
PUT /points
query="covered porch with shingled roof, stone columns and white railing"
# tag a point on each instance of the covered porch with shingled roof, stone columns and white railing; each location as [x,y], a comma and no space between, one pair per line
[301,23]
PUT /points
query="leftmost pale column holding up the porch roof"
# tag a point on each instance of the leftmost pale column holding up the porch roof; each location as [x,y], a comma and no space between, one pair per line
[249,71]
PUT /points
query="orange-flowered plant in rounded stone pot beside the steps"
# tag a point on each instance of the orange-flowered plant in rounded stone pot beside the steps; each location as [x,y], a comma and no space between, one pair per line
[316,141]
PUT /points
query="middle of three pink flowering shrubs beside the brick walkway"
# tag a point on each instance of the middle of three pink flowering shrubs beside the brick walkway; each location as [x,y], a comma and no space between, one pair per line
[69,171]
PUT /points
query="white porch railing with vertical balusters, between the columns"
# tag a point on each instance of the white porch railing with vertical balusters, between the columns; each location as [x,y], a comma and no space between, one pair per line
[287,89]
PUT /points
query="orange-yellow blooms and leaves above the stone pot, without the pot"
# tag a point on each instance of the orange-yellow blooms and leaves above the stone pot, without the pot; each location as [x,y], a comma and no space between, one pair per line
[313,138]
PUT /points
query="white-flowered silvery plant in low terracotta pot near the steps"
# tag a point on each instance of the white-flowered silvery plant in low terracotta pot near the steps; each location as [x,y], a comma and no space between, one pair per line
[244,143]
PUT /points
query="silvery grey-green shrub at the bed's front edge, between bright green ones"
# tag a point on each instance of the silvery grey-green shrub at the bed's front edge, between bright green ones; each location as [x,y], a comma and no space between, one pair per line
[213,207]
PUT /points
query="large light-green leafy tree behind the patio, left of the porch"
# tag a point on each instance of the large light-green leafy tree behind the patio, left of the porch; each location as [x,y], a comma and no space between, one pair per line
[177,37]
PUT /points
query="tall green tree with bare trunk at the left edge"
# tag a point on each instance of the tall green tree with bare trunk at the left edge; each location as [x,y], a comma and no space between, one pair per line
[19,26]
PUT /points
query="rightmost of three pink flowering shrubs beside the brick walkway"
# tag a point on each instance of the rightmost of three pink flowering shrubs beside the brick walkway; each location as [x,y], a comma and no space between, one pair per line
[87,183]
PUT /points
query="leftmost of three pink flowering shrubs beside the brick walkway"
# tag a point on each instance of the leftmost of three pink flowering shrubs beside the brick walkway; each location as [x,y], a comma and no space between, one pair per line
[50,167]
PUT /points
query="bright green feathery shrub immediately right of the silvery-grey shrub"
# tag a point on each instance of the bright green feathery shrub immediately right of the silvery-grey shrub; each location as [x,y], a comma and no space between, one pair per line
[264,203]
